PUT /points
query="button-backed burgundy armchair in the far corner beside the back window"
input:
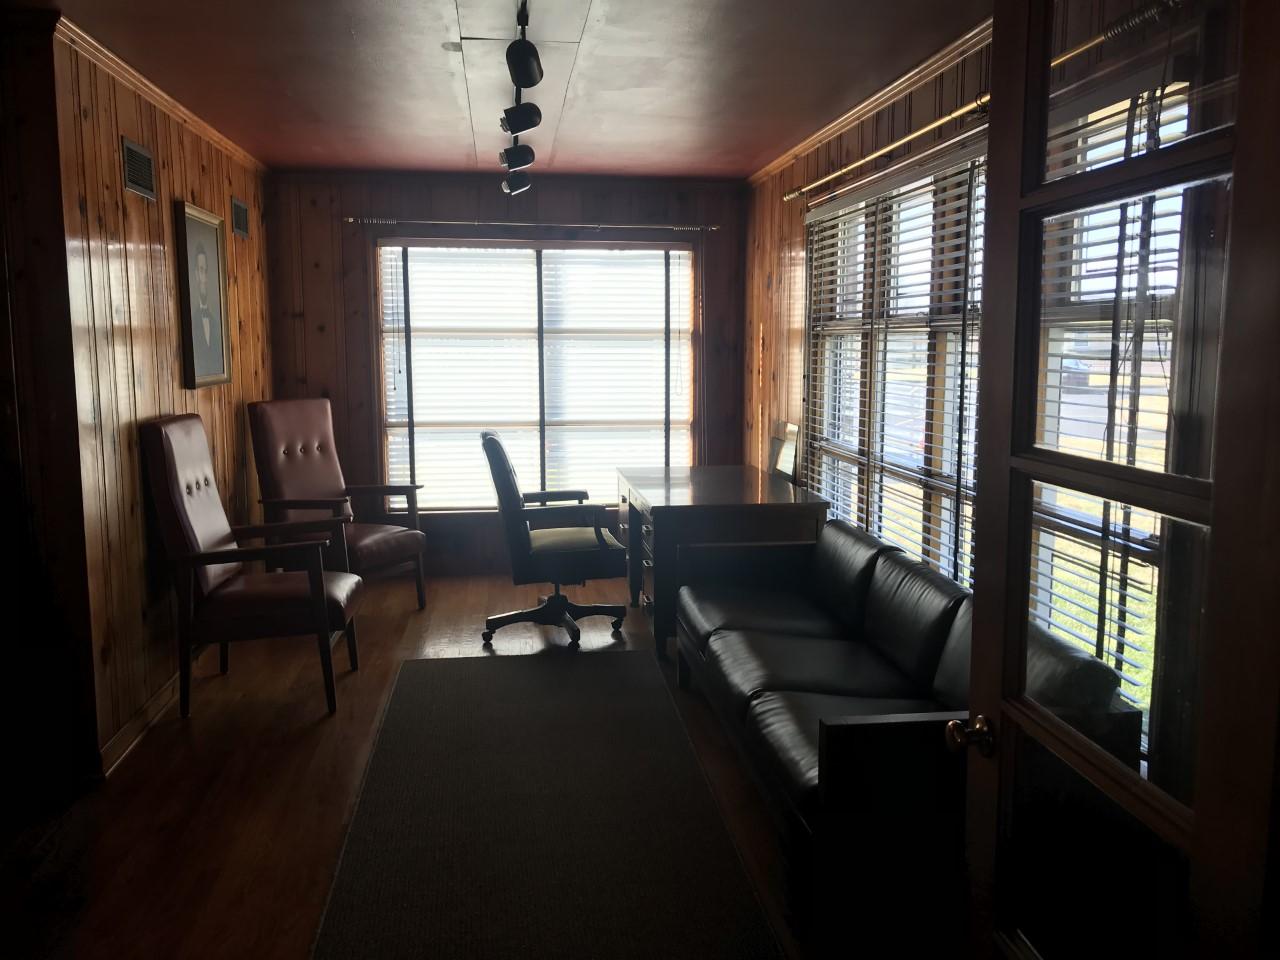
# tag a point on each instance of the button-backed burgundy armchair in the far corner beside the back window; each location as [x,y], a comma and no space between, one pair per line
[301,479]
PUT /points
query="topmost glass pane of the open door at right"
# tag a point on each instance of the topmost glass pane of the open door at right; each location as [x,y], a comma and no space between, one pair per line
[1128,77]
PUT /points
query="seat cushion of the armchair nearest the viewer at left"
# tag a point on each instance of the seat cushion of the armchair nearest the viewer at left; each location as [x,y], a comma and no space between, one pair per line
[272,605]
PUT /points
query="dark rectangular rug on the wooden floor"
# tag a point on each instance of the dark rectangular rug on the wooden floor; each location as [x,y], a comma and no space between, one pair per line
[540,807]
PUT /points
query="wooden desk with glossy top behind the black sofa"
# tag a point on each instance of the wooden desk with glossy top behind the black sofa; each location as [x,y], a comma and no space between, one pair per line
[662,510]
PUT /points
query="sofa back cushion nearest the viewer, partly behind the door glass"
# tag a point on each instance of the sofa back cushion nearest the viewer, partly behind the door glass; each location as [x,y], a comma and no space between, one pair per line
[1059,674]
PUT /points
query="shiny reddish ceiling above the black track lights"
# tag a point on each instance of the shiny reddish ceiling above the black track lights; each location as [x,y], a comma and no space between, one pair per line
[668,88]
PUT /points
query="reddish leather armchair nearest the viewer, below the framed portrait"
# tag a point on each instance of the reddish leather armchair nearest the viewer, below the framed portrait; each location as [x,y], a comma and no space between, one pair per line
[221,598]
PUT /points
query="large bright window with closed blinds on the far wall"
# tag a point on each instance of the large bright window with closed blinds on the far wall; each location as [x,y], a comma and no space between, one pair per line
[580,358]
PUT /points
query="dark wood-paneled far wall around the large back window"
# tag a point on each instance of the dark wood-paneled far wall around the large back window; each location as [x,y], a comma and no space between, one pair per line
[324,314]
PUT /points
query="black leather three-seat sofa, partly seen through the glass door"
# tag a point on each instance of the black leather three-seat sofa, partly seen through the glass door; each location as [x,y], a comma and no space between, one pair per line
[834,668]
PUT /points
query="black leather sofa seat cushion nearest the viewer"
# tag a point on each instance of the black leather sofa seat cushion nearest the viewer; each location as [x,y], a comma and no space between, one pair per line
[783,734]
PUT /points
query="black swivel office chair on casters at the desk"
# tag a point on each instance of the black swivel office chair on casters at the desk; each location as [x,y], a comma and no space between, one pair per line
[563,545]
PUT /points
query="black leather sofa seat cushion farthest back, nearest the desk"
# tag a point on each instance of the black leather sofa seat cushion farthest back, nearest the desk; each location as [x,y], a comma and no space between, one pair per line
[705,609]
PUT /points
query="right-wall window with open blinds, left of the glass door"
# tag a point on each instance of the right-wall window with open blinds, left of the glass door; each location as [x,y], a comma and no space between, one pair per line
[892,396]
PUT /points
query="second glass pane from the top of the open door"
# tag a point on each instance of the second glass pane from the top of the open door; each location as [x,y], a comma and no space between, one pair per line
[1131,314]
